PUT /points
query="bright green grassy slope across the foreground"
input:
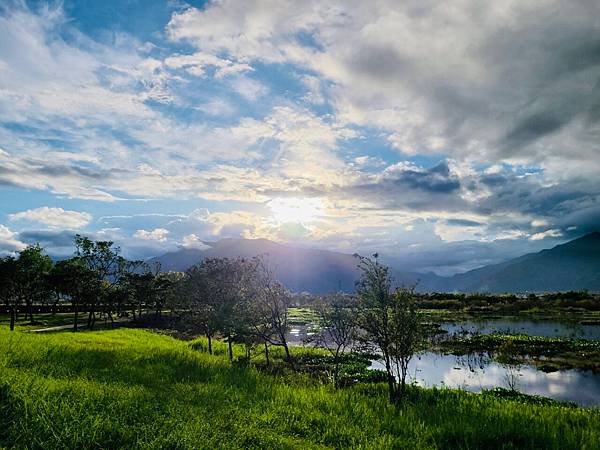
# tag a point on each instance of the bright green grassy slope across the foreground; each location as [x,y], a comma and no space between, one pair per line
[133,388]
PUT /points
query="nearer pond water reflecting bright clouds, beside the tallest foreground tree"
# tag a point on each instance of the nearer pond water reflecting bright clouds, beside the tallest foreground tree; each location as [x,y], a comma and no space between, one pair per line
[432,369]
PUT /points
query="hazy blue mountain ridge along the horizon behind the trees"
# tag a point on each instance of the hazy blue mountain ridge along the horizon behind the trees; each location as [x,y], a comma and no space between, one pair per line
[574,265]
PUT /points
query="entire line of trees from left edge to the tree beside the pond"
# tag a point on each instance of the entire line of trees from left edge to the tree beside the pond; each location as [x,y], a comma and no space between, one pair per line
[238,300]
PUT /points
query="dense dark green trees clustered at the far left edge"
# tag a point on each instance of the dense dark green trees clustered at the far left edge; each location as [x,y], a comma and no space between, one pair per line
[96,281]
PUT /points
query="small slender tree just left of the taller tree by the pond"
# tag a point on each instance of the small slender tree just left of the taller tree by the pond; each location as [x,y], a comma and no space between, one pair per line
[337,317]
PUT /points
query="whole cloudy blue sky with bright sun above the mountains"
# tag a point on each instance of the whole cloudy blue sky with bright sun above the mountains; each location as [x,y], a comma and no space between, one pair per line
[443,135]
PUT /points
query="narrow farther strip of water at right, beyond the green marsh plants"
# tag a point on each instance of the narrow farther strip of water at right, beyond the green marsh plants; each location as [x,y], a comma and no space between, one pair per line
[529,327]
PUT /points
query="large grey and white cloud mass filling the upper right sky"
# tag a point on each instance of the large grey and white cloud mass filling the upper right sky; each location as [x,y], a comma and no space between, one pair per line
[426,72]
